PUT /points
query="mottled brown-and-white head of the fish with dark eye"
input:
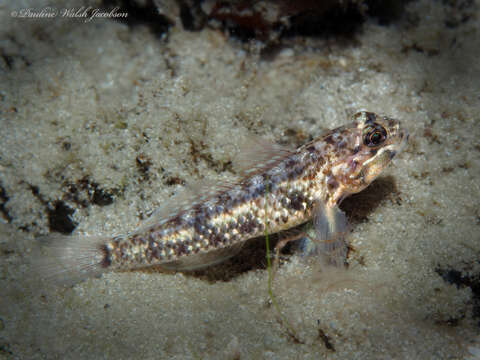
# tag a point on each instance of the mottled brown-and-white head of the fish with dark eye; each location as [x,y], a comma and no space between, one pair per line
[369,145]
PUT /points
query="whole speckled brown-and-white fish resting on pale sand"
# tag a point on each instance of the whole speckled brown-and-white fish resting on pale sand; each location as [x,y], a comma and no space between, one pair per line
[278,189]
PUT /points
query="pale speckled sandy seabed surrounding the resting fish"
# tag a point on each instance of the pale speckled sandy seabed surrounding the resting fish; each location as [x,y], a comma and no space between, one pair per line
[102,123]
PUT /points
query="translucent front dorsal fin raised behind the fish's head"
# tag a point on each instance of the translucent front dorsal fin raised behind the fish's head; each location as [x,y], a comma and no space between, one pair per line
[257,155]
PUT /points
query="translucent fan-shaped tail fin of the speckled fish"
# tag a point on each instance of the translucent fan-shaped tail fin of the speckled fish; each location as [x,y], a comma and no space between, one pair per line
[66,260]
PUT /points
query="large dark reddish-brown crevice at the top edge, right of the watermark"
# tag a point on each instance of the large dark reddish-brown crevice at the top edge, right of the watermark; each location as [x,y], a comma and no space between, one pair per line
[273,20]
